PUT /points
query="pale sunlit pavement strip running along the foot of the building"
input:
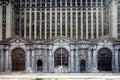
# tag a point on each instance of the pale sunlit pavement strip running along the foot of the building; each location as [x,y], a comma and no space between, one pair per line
[86,76]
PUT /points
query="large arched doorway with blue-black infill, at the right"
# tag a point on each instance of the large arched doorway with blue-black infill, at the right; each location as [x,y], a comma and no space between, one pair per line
[104,60]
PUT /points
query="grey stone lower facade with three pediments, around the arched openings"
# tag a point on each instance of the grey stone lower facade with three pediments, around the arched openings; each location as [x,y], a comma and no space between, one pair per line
[45,51]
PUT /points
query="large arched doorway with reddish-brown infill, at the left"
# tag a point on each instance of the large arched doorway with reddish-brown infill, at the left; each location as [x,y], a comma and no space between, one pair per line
[18,59]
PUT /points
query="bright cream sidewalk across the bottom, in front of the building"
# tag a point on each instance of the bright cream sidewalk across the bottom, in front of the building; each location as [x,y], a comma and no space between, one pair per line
[61,76]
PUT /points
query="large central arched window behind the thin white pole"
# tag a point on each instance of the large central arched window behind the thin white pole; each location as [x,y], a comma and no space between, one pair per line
[61,57]
